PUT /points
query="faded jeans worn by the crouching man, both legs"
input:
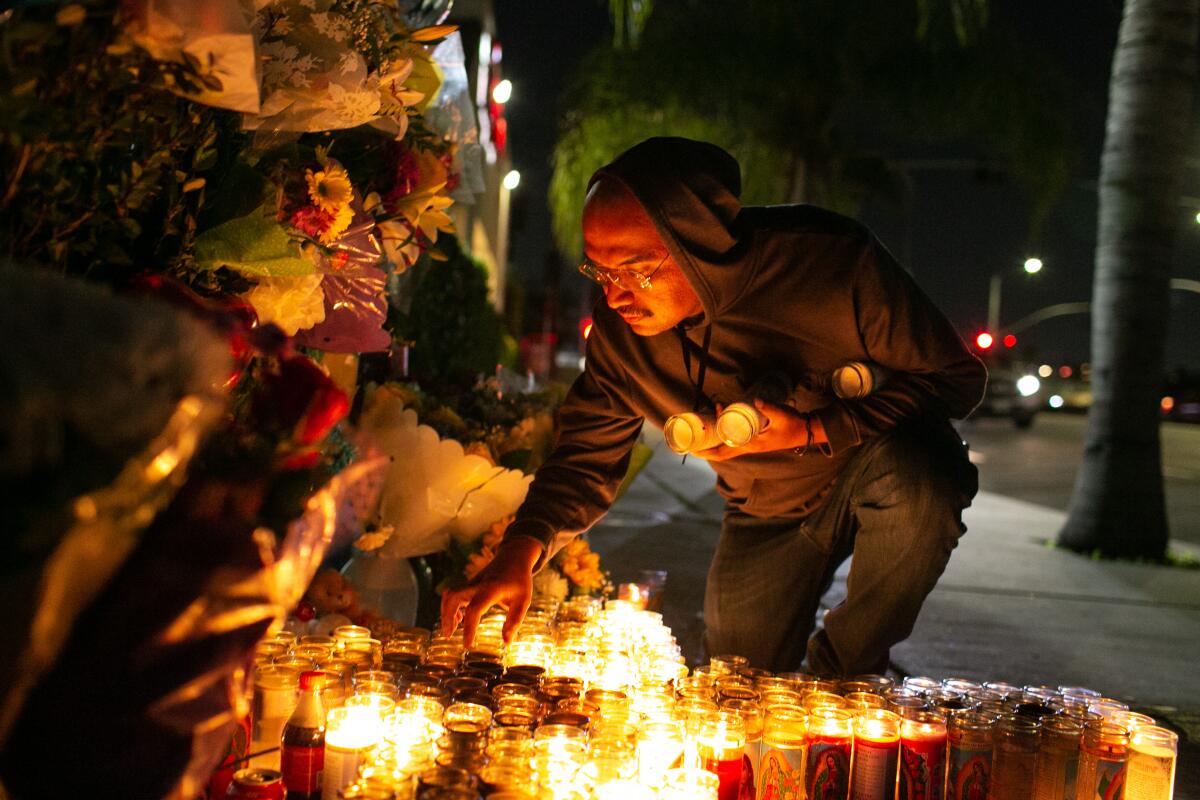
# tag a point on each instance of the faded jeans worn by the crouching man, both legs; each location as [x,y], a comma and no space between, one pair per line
[897,508]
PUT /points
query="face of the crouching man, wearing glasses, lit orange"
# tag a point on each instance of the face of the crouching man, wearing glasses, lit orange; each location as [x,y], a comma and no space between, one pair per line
[619,236]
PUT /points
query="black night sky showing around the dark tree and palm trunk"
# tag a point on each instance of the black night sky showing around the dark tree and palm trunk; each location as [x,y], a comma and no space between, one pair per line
[961,230]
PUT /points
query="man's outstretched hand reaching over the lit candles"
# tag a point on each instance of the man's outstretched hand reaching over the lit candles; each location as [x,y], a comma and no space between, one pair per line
[507,581]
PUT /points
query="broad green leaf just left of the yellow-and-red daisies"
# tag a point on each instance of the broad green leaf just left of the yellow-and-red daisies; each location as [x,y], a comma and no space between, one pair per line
[255,245]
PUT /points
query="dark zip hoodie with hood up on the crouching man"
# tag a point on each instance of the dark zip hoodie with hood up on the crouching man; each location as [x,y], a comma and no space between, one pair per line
[791,290]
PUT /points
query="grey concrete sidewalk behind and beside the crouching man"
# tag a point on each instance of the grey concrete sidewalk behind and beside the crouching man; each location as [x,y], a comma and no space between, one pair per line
[1010,607]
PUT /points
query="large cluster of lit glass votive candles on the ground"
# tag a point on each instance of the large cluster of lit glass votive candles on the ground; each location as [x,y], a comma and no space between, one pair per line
[595,702]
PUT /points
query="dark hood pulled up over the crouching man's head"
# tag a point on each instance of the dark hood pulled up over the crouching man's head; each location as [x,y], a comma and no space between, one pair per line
[691,193]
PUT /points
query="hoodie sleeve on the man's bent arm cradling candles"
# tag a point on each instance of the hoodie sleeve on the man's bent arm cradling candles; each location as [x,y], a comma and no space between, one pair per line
[935,375]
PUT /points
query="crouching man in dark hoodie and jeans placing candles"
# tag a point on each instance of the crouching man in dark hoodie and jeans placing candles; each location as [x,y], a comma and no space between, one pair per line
[704,299]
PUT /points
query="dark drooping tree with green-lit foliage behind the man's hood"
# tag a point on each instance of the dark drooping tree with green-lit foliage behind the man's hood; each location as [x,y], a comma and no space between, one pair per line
[796,88]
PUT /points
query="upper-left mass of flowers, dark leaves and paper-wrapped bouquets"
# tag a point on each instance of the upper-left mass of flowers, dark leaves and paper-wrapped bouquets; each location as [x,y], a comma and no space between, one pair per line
[127,147]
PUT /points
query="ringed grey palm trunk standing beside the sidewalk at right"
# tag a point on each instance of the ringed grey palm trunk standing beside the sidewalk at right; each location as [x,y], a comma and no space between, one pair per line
[1119,508]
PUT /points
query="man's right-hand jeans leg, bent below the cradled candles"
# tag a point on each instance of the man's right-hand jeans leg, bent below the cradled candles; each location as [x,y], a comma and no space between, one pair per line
[901,502]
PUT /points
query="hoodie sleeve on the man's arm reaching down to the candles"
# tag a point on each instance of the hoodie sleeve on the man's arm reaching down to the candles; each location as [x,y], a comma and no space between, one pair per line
[578,484]
